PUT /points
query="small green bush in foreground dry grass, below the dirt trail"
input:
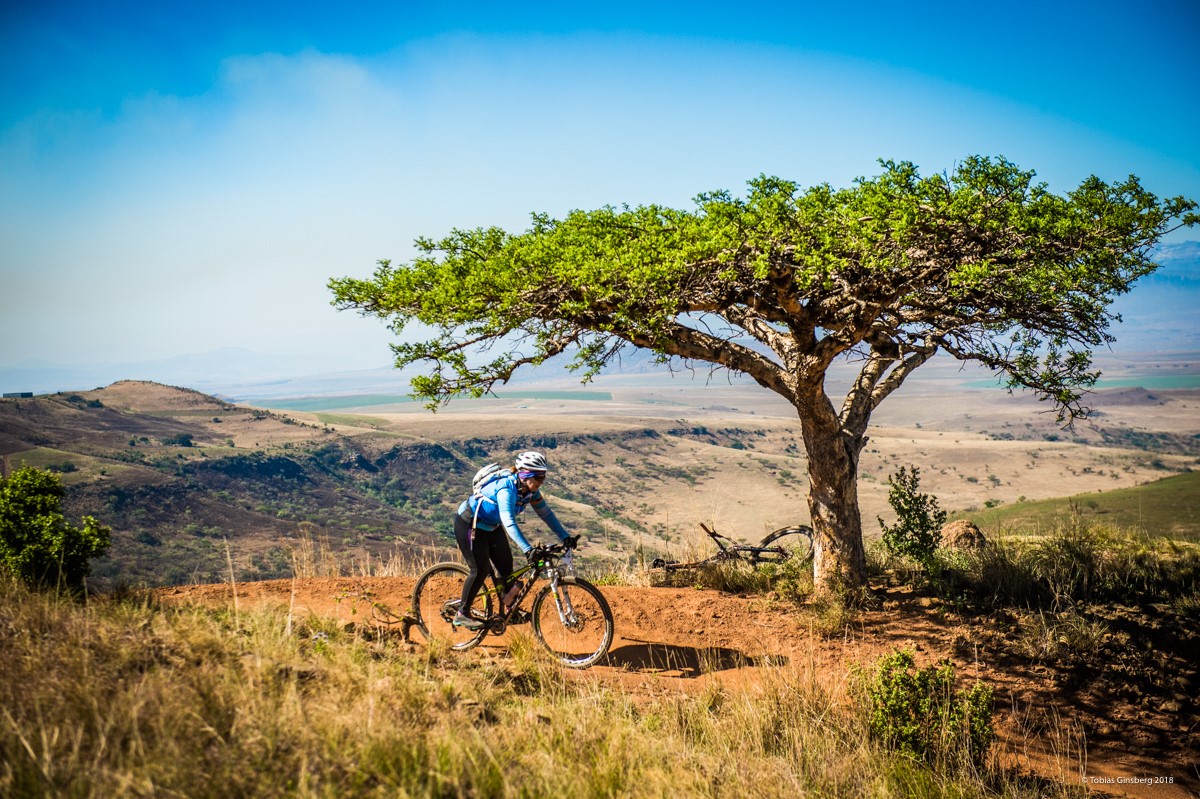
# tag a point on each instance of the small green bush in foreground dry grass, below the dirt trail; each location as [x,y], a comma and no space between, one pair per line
[919,713]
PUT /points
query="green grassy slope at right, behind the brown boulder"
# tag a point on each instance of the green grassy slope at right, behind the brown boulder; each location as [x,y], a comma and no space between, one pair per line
[1168,508]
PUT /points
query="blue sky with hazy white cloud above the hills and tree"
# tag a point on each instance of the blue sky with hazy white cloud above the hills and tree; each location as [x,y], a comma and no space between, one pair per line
[178,178]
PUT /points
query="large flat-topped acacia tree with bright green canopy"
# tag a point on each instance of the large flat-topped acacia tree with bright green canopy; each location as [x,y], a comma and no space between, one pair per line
[983,265]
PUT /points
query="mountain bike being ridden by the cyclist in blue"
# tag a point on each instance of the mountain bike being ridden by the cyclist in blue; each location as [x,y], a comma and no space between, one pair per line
[569,616]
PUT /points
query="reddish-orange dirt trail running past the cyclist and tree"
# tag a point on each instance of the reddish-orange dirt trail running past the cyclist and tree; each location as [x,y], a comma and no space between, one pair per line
[682,640]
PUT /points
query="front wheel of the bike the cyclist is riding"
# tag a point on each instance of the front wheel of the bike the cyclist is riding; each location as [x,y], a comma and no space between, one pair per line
[573,622]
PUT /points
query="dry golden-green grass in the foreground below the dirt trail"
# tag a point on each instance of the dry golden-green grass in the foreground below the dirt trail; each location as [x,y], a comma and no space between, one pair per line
[124,698]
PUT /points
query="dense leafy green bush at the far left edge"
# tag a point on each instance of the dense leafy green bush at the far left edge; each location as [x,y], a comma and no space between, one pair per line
[37,543]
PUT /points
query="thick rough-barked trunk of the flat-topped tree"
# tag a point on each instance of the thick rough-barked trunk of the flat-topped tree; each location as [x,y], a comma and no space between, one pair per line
[839,558]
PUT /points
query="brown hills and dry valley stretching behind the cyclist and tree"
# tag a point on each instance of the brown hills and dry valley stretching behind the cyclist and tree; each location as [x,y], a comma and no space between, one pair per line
[189,482]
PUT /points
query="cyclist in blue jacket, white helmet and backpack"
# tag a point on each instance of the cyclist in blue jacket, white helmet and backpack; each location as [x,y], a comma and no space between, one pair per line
[488,515]
